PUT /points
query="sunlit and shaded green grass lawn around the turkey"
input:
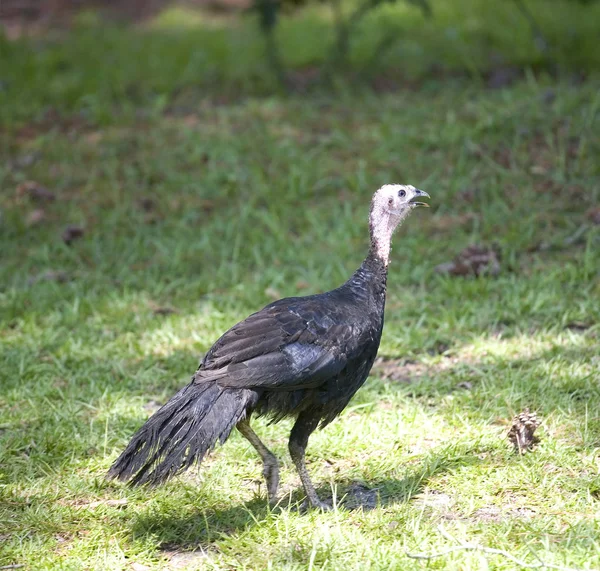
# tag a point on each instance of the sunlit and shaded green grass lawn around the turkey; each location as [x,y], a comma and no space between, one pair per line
[199,208]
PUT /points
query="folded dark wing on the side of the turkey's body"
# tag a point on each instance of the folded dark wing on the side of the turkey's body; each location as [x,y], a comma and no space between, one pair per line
[284,346]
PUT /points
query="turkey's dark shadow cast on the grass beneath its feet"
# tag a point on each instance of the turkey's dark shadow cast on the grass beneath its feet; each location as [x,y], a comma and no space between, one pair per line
[198,529]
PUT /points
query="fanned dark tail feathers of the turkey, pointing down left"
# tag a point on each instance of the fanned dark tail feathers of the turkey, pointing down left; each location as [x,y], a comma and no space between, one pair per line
[180,433]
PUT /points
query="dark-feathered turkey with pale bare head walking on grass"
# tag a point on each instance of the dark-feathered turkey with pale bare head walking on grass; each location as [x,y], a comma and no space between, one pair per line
[303,357]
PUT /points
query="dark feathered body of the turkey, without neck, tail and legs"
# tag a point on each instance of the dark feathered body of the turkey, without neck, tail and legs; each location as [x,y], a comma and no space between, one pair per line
[307,354]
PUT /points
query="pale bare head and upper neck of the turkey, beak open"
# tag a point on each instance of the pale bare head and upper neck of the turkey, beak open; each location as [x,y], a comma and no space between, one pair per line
[391,204]
